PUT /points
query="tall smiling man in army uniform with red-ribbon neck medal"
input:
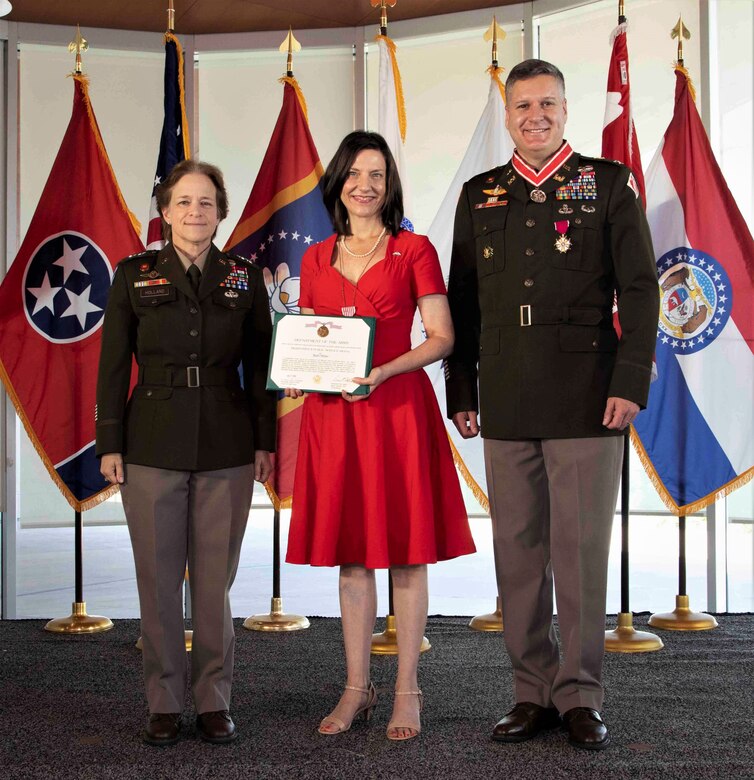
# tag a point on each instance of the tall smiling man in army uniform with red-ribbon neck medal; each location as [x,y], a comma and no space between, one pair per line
[540,246]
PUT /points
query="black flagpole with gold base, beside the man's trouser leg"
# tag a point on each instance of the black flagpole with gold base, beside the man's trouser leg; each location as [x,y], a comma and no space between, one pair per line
[624,638]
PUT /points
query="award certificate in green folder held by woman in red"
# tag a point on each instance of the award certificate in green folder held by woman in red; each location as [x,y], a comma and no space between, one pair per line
[322,354]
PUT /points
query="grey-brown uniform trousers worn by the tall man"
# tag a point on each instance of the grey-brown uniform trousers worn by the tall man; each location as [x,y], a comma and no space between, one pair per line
[552,504]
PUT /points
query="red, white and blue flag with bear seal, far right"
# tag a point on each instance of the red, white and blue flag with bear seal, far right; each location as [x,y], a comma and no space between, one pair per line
[696,438]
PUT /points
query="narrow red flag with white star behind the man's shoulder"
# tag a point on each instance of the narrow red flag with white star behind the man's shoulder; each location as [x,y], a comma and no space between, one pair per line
[618,134]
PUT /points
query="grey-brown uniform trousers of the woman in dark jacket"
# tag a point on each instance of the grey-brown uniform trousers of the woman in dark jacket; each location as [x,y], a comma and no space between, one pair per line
[175,518]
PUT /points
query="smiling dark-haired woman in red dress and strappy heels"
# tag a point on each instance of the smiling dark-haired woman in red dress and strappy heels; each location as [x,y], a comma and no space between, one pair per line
[375,483]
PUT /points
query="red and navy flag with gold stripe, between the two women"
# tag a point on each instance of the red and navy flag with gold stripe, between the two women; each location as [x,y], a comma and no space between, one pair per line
[283,216]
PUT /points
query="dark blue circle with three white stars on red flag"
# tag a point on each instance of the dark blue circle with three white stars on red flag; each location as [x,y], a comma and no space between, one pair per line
[65,287]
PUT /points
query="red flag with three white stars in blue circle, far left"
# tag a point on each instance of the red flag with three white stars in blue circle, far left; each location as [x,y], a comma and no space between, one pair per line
[52,303]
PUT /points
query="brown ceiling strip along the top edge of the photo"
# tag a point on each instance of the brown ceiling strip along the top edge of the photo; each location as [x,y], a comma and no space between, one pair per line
[195,17]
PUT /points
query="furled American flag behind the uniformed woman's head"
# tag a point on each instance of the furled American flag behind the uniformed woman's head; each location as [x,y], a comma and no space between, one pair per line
[174,140]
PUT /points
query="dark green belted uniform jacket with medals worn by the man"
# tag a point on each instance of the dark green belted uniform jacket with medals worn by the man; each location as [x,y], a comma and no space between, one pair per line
[533,322]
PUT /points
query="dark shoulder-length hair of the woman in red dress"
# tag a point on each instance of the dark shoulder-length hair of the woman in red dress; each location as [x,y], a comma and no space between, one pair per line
[337,173]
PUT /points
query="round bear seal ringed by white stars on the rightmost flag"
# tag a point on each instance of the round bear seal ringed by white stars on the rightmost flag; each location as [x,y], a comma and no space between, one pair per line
[695,300]
